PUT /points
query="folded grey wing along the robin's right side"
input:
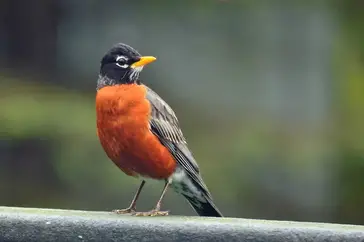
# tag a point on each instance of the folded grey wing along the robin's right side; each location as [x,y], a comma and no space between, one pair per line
[164,124]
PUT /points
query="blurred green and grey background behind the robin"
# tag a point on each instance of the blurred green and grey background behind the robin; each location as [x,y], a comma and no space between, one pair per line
[270,95]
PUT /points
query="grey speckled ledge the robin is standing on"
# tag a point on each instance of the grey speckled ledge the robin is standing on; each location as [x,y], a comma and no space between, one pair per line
[30,224]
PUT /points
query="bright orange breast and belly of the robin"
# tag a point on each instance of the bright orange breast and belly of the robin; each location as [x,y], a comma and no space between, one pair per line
[123,115]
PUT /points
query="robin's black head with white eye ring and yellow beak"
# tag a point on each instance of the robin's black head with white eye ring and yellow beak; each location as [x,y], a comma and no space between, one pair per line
[122,64]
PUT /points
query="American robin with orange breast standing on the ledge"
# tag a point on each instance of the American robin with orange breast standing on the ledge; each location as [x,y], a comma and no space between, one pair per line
[141,134]
